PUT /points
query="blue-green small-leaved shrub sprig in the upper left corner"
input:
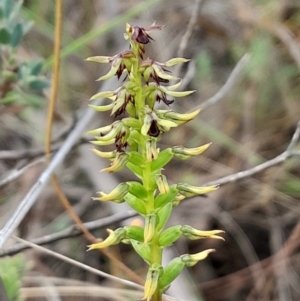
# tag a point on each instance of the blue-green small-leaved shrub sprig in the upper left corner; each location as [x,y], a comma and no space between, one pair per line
[19,81]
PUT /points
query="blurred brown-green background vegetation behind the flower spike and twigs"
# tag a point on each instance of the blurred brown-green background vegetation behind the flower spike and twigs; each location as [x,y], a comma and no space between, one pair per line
[251,124]
